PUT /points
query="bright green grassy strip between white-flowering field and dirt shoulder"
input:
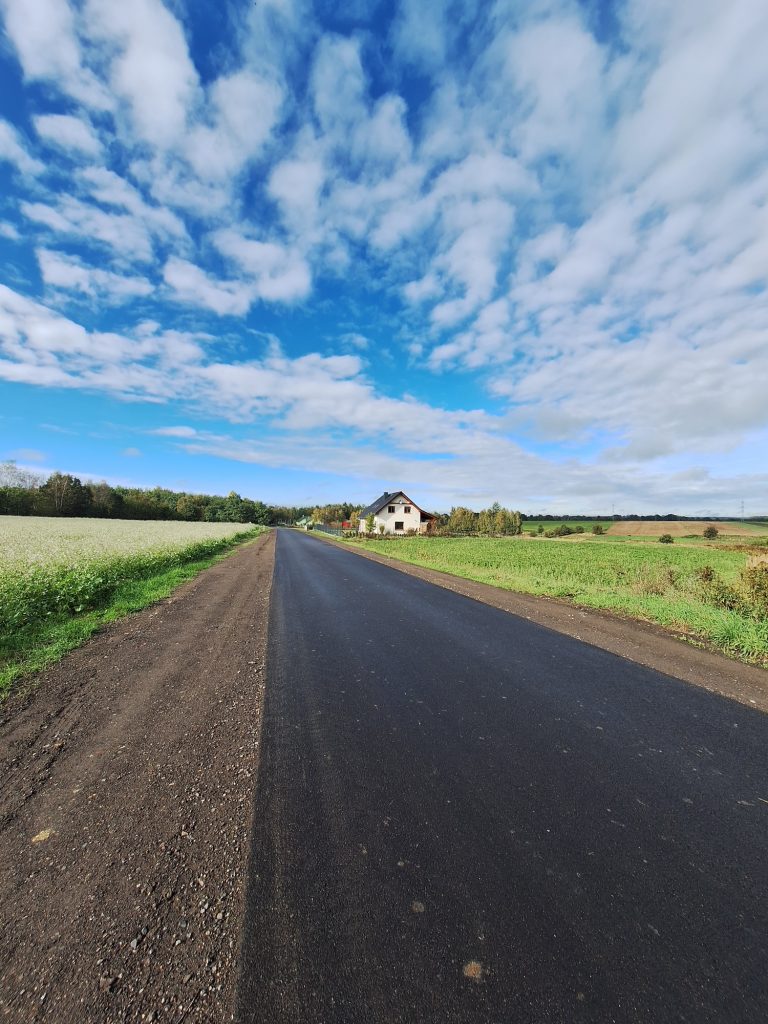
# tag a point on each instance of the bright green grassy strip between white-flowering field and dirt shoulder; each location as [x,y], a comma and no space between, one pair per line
[41,644]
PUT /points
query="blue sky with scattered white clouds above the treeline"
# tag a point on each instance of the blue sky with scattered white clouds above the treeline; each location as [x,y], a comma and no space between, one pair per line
[311,252]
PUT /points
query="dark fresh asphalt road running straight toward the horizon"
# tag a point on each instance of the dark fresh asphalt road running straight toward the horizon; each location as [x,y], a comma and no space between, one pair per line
[465,818]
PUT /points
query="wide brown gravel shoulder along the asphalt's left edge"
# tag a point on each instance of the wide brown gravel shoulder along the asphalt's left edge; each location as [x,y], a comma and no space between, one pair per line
[125,810]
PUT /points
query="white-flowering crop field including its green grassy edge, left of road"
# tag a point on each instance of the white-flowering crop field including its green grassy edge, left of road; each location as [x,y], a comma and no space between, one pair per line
[62,579]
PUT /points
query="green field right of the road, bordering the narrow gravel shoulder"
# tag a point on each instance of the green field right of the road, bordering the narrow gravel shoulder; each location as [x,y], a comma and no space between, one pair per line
[699,591]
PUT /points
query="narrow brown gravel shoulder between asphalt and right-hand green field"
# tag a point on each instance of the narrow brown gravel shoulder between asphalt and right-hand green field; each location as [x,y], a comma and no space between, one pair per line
[642,643]
